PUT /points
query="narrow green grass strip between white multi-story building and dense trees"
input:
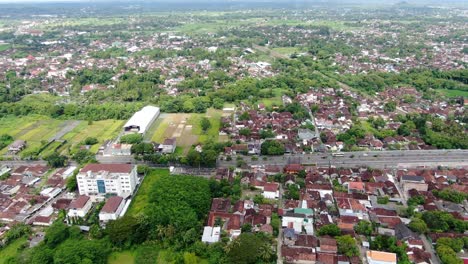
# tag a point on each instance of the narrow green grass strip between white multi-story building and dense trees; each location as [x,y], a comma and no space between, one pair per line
[141,199]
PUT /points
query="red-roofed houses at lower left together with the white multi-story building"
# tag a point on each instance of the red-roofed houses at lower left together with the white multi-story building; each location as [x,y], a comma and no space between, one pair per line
[36,194]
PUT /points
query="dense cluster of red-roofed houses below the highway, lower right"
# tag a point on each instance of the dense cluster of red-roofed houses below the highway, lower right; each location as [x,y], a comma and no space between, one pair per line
[343,197]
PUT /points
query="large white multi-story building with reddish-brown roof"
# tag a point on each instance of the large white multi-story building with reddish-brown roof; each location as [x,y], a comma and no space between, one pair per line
[101,179]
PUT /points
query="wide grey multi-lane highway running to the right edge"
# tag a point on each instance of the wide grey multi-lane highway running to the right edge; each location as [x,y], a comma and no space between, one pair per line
[375,159]
